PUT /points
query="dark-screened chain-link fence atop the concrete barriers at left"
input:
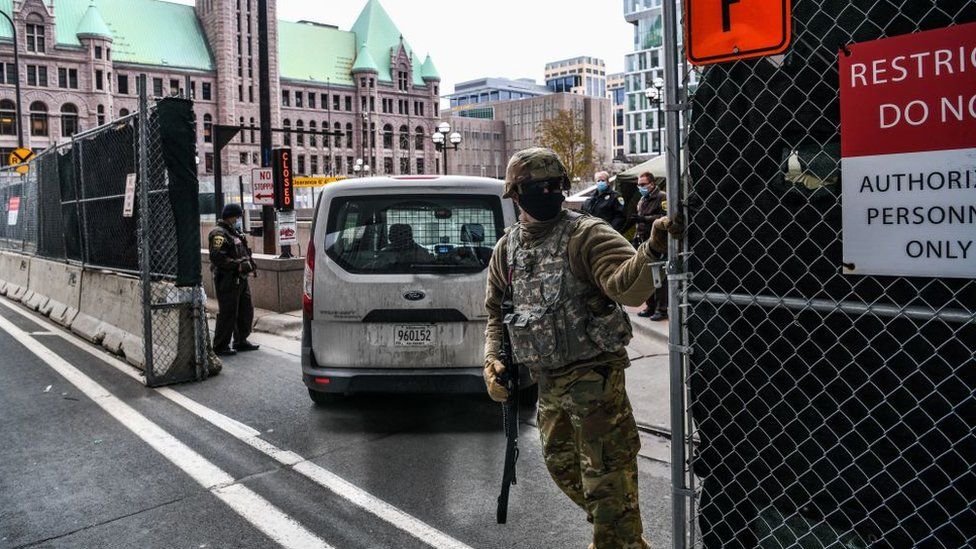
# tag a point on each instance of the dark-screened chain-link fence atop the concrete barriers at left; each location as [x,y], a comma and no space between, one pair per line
[72,206]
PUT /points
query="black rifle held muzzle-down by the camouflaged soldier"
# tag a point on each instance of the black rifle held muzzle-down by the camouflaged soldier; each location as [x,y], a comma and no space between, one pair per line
[510,408]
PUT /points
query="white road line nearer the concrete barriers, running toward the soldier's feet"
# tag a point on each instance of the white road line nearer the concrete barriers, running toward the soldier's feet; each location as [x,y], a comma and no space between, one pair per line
[250,436]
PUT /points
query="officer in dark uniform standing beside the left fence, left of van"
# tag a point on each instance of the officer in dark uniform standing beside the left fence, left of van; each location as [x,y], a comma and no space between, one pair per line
[231,264]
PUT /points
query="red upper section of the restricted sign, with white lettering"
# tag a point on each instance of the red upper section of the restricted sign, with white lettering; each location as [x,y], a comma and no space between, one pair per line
[910,93]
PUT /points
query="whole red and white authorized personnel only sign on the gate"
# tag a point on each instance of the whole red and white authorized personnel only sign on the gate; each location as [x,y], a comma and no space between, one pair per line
[908,147]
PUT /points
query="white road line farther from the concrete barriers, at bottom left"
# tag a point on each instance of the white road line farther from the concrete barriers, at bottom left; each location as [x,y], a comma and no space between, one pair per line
[259,512]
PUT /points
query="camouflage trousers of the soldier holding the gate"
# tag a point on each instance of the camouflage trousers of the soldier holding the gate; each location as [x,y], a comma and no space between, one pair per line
[590,444]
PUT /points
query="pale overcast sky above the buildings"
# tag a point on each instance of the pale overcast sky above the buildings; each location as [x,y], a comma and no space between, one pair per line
[508,38]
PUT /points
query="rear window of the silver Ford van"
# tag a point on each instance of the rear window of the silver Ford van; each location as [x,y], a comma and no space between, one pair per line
[413,233]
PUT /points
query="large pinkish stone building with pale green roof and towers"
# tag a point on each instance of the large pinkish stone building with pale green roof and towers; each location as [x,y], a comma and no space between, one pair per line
[79,60]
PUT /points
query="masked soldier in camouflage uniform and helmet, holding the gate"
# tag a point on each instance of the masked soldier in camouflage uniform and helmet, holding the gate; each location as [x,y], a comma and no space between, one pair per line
[568,274]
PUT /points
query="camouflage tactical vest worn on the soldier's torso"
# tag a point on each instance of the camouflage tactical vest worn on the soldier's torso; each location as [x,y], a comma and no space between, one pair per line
[552,325]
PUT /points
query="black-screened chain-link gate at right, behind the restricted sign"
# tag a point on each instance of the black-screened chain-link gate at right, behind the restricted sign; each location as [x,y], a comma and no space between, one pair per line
[810,408]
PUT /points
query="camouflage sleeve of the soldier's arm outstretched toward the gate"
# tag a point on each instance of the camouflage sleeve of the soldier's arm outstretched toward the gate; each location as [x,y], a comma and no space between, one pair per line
[599,254]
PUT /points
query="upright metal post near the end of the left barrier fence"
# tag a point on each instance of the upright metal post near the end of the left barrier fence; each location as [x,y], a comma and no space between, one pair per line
[144,260]
